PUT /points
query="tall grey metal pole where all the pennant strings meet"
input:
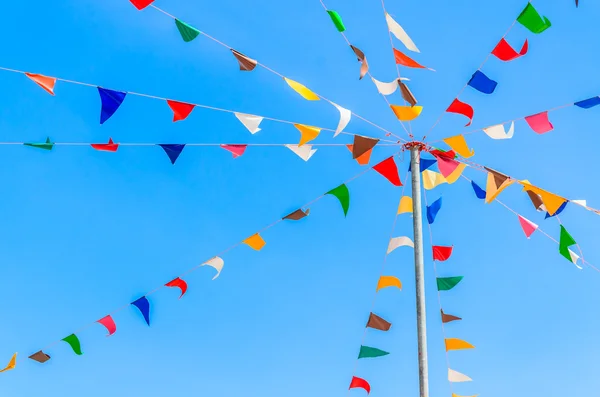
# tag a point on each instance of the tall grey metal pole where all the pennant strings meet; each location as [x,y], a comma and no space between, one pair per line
[415,154]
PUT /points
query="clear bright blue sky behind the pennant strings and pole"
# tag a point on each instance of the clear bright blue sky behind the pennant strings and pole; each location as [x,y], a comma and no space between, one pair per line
[86,232]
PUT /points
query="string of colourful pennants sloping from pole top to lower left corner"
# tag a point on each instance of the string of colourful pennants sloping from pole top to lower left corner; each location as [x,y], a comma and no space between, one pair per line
[387,168]
